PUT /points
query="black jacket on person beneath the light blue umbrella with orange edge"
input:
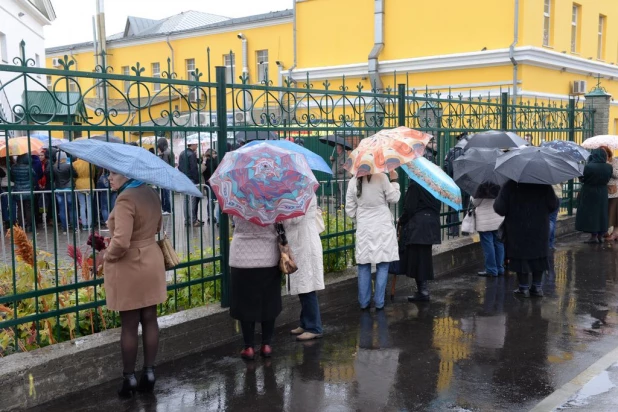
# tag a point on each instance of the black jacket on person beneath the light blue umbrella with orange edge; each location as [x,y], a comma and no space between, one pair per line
[420,220]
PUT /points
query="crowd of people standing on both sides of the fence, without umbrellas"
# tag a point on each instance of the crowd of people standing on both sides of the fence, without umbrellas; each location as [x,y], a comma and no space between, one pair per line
[516,223]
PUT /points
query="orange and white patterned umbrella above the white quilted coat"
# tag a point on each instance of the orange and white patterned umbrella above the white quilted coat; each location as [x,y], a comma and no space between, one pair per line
[386,150]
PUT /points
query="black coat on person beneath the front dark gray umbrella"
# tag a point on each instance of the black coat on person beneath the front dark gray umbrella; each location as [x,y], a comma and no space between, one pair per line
[526,208]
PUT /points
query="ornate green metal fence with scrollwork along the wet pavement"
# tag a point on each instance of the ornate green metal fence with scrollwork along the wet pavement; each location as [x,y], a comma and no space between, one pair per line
[48,295]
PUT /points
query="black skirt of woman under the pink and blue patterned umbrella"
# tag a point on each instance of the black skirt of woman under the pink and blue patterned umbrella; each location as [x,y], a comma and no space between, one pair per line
[256,294]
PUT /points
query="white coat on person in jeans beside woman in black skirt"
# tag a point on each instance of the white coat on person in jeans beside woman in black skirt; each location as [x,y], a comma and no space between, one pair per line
[306,249]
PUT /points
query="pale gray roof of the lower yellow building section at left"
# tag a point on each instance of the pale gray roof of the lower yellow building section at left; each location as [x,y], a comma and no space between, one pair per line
[186,22]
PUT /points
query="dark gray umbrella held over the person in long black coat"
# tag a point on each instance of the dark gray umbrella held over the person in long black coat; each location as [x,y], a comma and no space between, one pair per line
[540,165]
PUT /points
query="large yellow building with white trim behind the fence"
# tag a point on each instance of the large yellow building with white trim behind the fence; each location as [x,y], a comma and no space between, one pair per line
[534,49]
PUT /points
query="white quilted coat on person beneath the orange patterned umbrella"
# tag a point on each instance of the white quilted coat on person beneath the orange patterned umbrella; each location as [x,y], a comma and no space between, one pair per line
[376,236]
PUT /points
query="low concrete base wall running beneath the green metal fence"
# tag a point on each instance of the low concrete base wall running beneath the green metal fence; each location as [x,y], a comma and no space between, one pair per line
[33,378]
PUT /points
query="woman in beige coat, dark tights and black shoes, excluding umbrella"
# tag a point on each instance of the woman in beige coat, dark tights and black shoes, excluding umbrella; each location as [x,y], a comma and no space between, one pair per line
[135,276]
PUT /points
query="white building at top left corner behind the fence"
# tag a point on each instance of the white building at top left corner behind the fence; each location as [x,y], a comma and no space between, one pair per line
[21,20]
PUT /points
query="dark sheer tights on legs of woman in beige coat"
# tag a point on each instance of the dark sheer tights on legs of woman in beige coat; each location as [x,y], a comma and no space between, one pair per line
[128,336]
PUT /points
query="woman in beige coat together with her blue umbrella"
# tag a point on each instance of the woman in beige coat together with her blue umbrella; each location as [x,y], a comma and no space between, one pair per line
[133,263]
